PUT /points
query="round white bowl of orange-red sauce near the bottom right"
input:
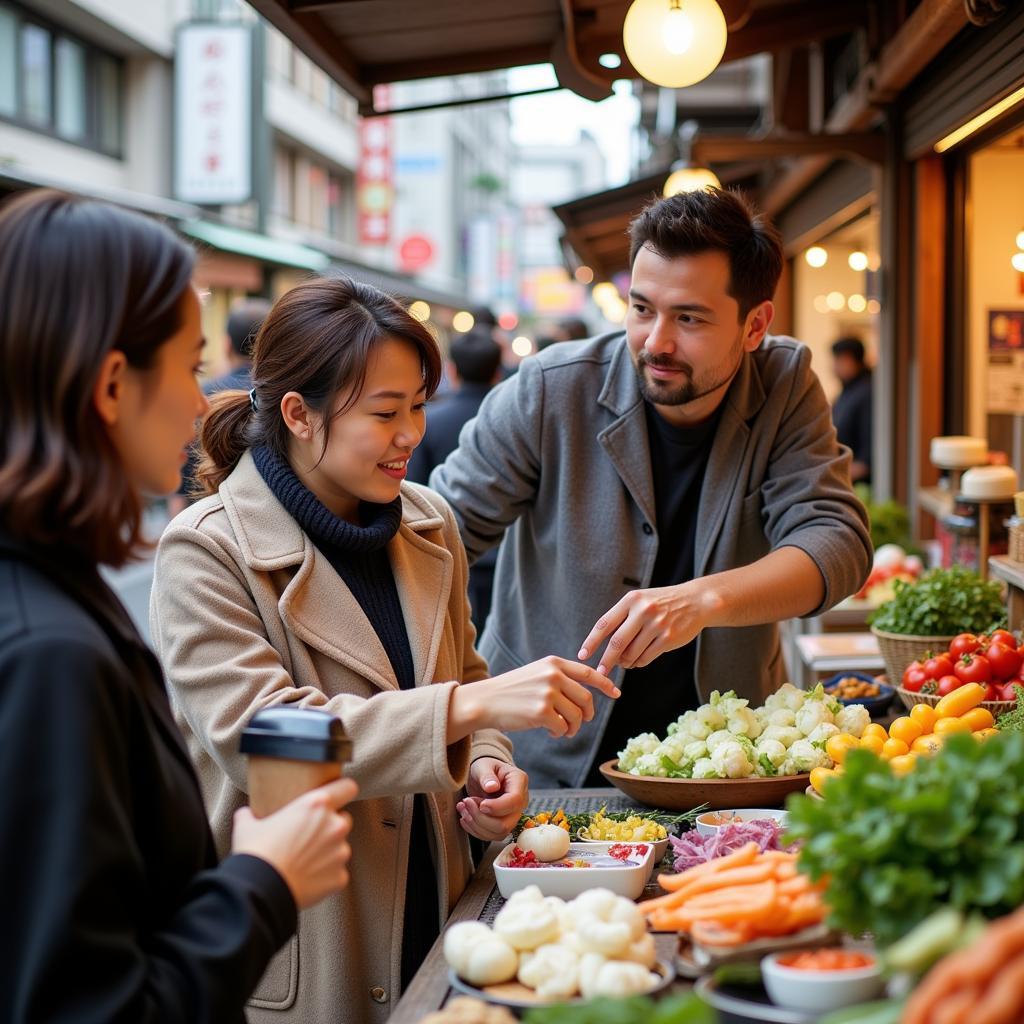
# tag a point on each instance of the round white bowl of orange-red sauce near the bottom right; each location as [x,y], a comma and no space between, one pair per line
[820,980]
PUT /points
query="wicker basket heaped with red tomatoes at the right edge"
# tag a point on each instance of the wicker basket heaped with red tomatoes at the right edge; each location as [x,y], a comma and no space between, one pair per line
[996,661]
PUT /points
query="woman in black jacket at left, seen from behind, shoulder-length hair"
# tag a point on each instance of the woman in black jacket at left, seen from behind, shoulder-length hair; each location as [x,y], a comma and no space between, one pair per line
[114,907]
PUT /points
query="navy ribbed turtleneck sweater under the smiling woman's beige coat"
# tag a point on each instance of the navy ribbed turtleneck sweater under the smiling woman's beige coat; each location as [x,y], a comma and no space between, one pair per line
[359,556]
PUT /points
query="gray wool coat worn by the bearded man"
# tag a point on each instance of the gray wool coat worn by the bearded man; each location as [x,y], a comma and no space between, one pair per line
[558,463]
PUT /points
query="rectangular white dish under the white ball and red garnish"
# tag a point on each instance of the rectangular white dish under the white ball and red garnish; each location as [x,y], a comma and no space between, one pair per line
[568,883]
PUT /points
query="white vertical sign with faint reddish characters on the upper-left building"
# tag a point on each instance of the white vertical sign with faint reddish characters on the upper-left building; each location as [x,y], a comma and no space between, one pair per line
[214,130]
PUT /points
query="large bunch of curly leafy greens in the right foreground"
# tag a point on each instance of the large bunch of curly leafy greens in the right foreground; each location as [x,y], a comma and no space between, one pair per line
[951,833]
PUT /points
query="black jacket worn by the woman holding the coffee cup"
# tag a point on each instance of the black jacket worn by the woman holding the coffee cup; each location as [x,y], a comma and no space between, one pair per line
[114,909]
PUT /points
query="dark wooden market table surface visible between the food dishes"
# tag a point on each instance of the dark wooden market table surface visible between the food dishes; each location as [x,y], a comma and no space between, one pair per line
[430,990]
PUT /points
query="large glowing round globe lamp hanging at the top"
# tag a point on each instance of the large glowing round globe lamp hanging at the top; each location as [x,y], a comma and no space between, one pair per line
[674,44]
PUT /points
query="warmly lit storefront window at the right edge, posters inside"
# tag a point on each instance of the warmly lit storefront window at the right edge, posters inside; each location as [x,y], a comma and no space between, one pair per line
[996,290]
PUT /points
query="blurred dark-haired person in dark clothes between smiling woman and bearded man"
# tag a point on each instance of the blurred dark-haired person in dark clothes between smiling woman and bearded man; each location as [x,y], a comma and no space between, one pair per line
[476,367]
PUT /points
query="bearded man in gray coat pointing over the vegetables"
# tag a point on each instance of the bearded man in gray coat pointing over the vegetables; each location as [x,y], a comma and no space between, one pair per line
[667,495]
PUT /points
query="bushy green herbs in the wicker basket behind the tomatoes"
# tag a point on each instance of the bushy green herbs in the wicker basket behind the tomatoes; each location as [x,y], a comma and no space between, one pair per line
[943,603]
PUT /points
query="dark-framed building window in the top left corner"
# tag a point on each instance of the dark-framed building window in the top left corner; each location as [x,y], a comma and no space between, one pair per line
[53,82]
